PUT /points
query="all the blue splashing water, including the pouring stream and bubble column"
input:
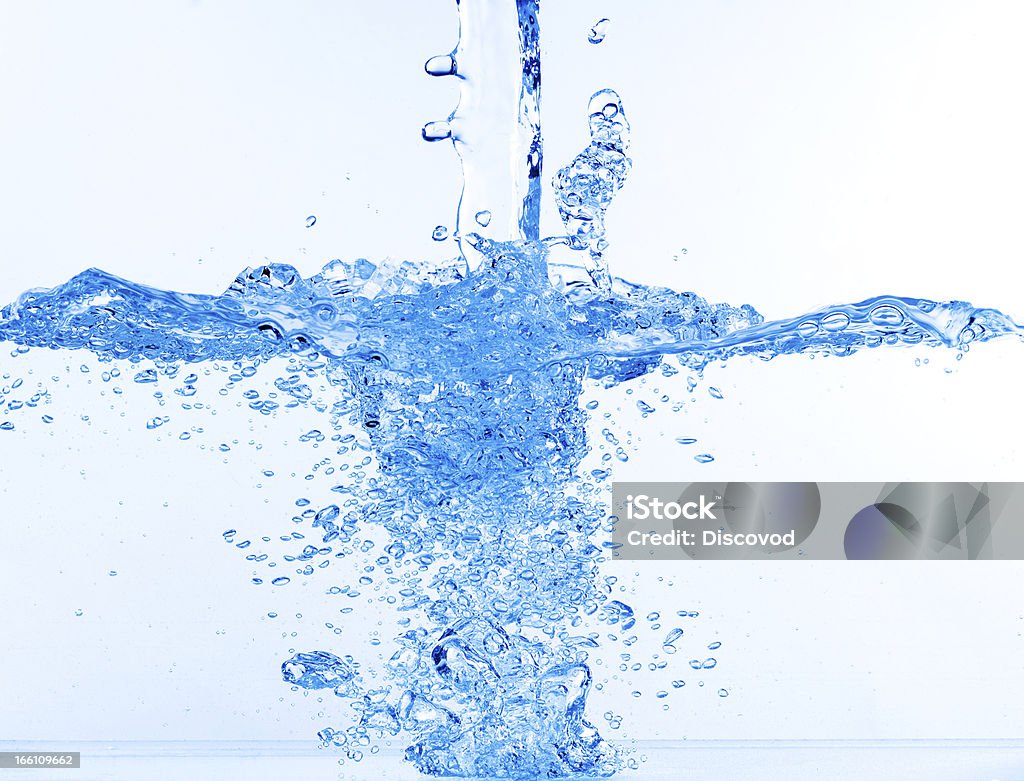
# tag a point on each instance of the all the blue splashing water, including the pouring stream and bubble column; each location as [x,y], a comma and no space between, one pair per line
[455,413]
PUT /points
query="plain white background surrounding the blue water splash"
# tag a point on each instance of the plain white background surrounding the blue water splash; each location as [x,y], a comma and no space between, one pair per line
[803,153]
